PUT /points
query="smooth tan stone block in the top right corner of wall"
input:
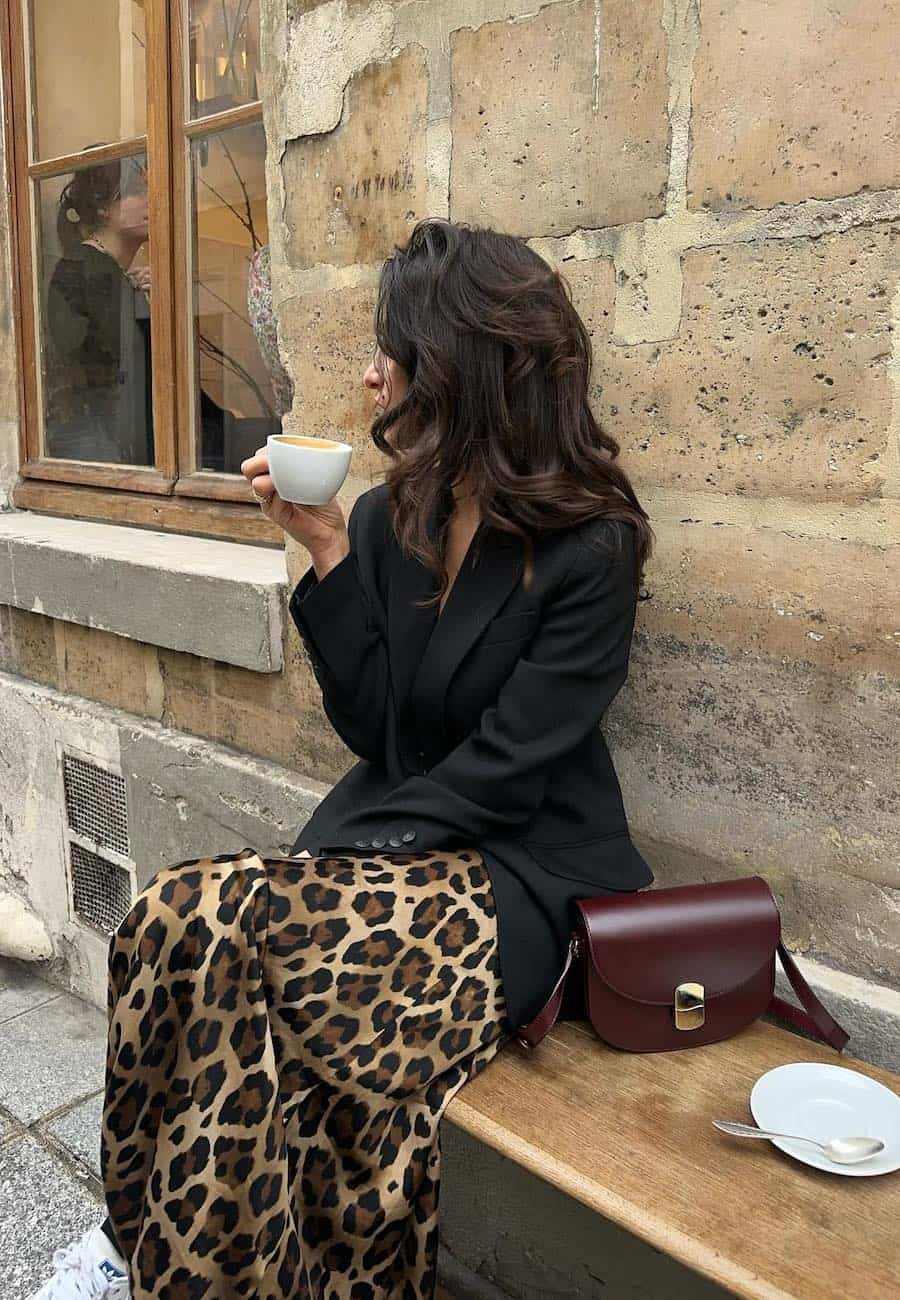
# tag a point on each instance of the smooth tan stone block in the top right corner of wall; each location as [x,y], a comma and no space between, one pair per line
[794,102]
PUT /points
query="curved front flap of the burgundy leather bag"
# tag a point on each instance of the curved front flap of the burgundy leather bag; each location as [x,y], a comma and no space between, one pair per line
[719,935]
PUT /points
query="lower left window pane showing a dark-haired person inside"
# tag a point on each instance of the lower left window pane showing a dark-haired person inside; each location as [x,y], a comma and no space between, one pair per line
[94,314]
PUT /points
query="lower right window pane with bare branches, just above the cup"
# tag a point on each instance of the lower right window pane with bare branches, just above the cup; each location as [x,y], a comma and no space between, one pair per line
[241,388]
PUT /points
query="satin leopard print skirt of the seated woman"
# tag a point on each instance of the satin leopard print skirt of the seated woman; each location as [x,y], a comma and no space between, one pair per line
[284,1038]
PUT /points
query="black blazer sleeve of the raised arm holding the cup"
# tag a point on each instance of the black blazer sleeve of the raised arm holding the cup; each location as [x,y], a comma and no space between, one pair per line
[347,649]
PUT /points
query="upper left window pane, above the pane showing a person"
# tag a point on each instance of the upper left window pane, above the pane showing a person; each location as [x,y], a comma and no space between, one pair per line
[89,75]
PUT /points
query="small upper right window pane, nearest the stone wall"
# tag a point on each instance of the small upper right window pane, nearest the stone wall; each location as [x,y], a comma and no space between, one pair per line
[223,55]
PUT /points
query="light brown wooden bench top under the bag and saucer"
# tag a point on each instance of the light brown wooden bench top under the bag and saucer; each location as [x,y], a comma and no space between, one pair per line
[631,1137]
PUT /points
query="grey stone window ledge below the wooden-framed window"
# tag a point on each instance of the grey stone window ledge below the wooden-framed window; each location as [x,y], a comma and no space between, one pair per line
[213,599]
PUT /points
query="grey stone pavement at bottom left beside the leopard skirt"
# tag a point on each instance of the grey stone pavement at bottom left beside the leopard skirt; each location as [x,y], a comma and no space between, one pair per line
[53,1054]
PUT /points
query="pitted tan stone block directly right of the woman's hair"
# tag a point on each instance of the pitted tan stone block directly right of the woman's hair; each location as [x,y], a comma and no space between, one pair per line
[777,383]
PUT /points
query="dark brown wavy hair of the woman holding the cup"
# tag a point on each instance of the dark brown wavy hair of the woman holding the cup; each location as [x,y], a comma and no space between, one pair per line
[499,366]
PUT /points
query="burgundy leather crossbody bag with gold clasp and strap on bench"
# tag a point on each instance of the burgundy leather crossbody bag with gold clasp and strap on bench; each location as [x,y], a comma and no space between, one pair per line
[681,968]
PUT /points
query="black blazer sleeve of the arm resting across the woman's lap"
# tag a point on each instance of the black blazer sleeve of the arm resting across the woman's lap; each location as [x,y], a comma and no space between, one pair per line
[495,781]
